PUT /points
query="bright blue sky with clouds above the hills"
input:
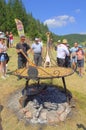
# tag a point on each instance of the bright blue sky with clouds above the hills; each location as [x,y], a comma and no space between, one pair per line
[61,16]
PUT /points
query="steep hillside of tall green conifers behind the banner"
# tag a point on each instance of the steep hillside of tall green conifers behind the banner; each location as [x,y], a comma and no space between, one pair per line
[15,9]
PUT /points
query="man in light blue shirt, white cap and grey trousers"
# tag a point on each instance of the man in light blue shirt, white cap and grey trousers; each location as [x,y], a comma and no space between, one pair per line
[36,48]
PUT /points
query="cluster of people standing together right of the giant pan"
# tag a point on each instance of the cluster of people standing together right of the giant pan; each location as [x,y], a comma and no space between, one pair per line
[71,57]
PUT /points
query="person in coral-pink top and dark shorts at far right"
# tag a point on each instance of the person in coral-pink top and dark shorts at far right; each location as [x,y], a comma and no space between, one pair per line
[80,60]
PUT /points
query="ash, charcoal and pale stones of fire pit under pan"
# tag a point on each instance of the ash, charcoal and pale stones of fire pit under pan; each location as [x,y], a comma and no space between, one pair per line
[47,107]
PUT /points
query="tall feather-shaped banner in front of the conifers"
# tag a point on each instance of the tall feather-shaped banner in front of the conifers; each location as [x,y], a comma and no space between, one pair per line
[20,27]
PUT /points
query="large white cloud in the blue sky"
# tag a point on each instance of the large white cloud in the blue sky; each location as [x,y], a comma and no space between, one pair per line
[59,21]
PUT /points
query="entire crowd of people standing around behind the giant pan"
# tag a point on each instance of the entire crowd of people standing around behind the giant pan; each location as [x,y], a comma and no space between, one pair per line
[66,57]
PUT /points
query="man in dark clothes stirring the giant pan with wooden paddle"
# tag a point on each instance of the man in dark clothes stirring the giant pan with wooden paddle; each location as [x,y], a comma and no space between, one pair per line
[22,46]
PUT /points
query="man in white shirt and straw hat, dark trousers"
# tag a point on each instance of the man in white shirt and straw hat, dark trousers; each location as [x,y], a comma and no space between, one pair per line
[62,52]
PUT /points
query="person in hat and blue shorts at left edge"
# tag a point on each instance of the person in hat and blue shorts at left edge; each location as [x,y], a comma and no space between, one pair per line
[3,59]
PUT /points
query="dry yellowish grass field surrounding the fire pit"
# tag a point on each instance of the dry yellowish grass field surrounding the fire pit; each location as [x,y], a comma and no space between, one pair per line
[75,84]
